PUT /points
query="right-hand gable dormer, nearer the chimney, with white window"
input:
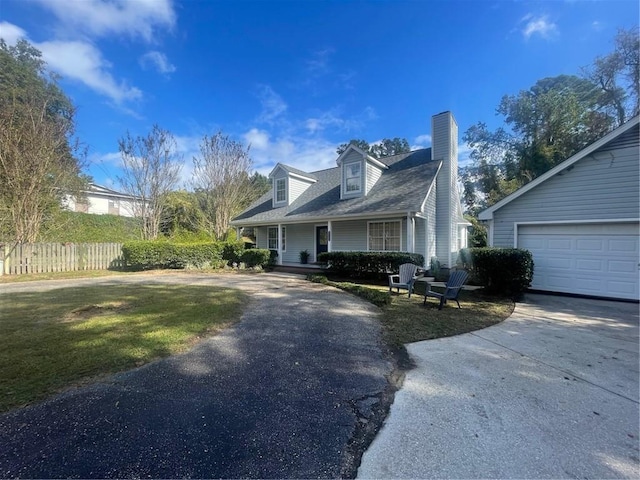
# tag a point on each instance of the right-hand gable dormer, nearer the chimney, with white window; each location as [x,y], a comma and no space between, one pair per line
[359,172]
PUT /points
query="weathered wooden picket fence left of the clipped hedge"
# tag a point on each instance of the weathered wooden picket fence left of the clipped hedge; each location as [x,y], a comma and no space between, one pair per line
[59,257]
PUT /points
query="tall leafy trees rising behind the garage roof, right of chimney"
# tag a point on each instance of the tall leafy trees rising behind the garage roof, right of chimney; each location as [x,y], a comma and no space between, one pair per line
[545,125]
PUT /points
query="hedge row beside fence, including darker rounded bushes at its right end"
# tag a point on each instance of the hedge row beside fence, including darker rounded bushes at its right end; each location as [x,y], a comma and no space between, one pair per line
[147,255]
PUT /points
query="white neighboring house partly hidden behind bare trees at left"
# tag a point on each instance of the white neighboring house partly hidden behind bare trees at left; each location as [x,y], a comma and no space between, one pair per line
[102,200]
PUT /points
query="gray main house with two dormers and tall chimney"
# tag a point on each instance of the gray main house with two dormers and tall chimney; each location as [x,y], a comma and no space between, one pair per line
[408,202]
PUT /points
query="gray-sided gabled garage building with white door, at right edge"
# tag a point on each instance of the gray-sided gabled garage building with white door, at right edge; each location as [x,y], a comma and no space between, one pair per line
[580,220]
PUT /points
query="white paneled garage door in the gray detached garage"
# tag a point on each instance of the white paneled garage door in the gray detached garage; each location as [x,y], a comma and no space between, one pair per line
[588,259]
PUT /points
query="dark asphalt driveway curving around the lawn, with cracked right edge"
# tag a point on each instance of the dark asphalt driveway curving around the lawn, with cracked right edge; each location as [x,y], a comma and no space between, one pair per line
[289,392]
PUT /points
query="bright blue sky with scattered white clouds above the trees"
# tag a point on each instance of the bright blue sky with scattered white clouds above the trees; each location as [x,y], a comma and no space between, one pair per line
[297,78]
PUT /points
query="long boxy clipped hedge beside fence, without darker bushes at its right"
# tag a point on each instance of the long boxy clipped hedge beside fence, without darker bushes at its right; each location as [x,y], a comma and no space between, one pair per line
[146,255]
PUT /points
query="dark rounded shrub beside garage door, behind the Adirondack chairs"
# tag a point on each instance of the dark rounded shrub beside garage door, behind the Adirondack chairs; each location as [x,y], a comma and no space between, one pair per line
[503,271]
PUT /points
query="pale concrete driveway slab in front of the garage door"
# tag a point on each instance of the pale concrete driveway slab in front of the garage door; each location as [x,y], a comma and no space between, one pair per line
[552,392]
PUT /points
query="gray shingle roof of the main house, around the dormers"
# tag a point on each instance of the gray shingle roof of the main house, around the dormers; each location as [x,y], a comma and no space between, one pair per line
[401,188]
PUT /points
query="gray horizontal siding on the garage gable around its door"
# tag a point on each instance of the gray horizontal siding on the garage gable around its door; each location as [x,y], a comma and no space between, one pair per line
[602,186]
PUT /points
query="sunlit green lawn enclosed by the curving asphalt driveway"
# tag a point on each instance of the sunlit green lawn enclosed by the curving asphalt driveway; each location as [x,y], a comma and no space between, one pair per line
[52,340]
